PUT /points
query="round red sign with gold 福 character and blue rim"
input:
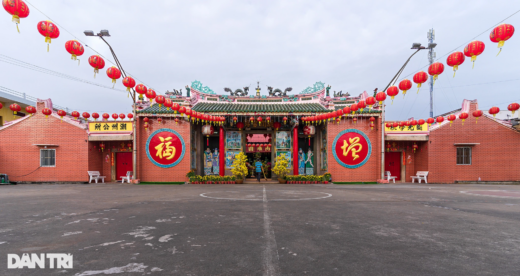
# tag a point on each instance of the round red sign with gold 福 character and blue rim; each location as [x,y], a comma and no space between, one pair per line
[165,148]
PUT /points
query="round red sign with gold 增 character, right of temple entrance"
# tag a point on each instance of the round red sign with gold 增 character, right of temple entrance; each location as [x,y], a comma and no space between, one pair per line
[351,148]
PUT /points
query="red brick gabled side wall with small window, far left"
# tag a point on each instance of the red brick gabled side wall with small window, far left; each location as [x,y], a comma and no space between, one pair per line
[19,155]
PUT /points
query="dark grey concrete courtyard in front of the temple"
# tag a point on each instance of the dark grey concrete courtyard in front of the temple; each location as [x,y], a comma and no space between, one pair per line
[271,229]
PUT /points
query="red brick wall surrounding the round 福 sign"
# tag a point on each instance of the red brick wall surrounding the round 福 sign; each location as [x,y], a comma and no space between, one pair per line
[149,172]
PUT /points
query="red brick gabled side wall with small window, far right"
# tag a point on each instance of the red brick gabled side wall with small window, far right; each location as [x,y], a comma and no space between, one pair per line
[495,159]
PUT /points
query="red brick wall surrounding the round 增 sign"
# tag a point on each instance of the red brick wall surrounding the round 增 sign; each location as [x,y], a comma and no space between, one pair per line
[371,170]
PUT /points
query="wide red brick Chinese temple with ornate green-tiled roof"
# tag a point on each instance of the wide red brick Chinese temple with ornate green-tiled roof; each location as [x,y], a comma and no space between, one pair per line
[174,139]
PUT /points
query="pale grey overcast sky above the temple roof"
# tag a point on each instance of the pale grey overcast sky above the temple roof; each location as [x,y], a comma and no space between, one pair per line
[353,46]
